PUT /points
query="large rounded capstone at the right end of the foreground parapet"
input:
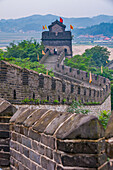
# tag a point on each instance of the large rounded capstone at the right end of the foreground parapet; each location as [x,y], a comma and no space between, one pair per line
[81,126]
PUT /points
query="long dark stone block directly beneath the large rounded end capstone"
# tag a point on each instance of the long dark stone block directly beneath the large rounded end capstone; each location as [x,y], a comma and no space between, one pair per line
[81,146]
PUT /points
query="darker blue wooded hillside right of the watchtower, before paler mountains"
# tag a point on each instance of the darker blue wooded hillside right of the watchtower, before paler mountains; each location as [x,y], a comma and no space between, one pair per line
[104,28]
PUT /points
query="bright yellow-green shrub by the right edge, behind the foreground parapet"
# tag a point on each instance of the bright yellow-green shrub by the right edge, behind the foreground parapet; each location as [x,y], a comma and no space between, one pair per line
[104,117]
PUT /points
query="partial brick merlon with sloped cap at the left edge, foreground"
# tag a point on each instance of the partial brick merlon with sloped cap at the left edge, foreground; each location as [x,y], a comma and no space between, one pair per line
[6,111]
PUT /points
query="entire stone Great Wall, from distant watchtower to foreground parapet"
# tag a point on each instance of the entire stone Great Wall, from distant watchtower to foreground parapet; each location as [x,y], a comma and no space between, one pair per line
[46,136]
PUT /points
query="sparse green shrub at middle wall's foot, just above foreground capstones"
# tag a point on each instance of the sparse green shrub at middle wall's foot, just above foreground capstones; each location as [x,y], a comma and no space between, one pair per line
[77,107]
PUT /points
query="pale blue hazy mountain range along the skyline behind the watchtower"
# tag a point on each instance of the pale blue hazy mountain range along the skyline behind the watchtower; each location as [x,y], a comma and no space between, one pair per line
[35,22]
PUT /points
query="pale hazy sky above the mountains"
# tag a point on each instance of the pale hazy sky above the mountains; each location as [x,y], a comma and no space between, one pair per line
[66,8]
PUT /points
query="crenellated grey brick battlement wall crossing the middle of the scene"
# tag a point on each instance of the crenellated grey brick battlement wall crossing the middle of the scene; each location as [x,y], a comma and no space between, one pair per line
[17,84]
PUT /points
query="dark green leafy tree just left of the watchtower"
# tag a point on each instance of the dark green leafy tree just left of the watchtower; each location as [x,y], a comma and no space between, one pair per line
[25,49]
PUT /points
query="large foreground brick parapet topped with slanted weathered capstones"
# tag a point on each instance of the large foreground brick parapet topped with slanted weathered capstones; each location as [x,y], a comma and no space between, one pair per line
[51,140]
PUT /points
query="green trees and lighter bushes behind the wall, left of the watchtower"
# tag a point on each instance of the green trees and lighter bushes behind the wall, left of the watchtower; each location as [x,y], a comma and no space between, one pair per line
[24,54]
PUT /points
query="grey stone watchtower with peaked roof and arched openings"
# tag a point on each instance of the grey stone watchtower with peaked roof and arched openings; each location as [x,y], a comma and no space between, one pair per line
[57,39]
